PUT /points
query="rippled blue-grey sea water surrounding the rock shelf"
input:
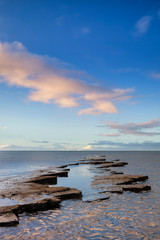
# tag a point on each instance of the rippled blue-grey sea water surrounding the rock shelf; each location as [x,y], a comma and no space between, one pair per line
[127,216]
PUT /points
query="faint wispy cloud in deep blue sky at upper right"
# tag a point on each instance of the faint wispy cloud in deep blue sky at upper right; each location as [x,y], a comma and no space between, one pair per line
[142,25]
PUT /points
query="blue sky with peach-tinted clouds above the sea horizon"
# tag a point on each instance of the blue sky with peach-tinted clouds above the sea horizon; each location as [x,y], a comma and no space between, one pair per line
[80,75]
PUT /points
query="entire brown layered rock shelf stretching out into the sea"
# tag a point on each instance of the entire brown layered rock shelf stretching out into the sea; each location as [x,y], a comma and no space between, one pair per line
[35,193]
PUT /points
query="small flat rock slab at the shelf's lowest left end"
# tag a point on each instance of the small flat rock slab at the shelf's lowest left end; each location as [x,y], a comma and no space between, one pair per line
[8,219]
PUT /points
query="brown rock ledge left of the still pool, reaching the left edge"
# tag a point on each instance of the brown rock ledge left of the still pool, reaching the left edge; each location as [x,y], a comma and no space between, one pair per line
[35,195]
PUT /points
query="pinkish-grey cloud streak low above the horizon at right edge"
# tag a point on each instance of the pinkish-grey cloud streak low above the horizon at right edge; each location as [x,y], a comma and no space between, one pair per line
[135,128]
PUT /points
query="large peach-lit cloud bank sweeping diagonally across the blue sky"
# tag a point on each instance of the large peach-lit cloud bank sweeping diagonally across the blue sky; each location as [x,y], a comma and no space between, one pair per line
[51,84]
